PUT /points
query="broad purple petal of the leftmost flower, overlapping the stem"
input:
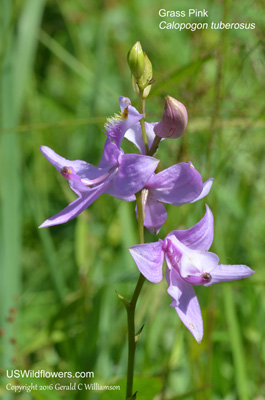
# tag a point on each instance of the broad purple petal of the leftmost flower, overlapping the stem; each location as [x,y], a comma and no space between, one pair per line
[134,171]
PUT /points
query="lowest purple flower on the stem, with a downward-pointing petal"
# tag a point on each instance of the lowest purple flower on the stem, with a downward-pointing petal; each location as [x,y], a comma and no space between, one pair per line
[188,263]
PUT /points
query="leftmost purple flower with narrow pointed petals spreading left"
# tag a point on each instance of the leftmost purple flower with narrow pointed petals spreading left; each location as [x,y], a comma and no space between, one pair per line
[118,174]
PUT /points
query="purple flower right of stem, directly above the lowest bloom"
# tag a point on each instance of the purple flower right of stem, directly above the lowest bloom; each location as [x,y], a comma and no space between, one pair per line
[177,185]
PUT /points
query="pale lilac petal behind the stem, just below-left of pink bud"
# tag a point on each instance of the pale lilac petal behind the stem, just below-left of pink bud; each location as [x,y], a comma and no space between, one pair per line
[134,135]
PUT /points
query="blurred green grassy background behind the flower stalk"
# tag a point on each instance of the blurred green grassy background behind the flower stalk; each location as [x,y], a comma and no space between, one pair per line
[63,66]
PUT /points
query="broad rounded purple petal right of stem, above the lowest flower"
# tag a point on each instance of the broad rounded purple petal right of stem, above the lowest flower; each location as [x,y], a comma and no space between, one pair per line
[176,185]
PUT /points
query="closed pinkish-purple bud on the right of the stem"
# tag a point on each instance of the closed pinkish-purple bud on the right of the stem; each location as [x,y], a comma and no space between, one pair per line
[174,120]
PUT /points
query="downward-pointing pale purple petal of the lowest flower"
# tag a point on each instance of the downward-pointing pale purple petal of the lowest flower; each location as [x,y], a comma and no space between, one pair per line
[186,304]
